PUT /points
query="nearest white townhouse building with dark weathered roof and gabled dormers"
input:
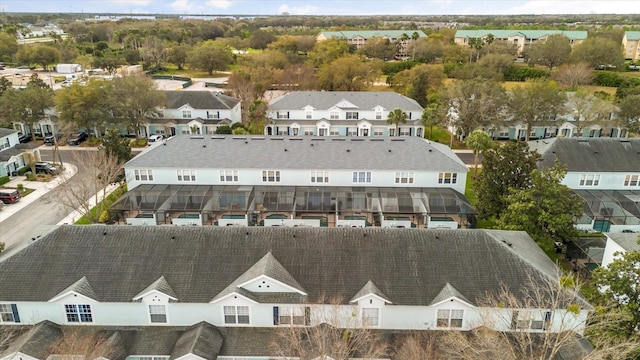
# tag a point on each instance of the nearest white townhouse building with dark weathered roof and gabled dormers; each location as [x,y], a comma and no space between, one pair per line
[223,293]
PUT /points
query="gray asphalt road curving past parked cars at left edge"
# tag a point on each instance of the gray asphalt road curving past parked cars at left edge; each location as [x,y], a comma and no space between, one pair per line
[37,218]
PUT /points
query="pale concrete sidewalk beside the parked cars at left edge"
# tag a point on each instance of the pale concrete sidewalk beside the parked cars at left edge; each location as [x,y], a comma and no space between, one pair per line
[40,187]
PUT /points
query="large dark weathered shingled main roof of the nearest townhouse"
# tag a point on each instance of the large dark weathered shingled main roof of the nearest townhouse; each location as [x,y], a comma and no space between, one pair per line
[200,262]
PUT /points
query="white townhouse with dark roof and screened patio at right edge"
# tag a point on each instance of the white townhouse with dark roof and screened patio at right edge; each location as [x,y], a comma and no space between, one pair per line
[605,172]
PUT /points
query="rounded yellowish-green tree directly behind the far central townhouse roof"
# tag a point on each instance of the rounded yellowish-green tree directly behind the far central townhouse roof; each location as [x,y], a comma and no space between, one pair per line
[349,73]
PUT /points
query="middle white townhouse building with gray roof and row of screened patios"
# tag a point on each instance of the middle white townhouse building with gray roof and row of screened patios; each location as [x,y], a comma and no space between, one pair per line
[296,181]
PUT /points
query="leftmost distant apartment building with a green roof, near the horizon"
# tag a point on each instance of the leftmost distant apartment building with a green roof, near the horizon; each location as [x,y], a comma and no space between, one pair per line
[358,38]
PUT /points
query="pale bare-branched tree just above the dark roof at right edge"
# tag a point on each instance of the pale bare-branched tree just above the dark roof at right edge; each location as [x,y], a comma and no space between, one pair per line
[588,110]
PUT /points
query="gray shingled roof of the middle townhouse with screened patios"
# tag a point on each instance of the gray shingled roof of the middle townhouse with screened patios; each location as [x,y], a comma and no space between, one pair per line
[256,152]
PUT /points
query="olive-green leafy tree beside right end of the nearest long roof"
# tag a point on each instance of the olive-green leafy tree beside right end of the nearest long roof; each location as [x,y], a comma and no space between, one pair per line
[546,209]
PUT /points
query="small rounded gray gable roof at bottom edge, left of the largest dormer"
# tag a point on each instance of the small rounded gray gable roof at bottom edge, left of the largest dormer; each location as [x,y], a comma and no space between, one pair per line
[202,339]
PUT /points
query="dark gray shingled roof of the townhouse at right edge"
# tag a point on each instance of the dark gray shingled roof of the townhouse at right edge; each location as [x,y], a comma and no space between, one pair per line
[590,154]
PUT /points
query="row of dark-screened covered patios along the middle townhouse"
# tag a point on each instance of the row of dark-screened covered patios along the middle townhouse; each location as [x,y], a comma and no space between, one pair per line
[294,206]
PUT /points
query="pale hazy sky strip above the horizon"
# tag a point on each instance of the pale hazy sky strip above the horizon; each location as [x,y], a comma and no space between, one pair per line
[327,7]
